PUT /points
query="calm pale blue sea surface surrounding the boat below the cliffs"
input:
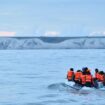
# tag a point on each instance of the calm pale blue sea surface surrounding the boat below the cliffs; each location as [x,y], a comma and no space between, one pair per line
[37,77]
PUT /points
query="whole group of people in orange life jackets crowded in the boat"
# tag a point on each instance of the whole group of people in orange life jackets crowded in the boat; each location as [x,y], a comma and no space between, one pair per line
[85,78]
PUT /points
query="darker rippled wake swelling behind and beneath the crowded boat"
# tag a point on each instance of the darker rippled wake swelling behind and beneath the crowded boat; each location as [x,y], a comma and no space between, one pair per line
[70,89]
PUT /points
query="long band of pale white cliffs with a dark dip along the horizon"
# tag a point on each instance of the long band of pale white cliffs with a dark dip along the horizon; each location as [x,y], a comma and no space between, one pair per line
[80,42]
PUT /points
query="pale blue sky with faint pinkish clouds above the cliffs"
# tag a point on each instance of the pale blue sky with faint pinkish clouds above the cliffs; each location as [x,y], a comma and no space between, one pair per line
[52,18]
